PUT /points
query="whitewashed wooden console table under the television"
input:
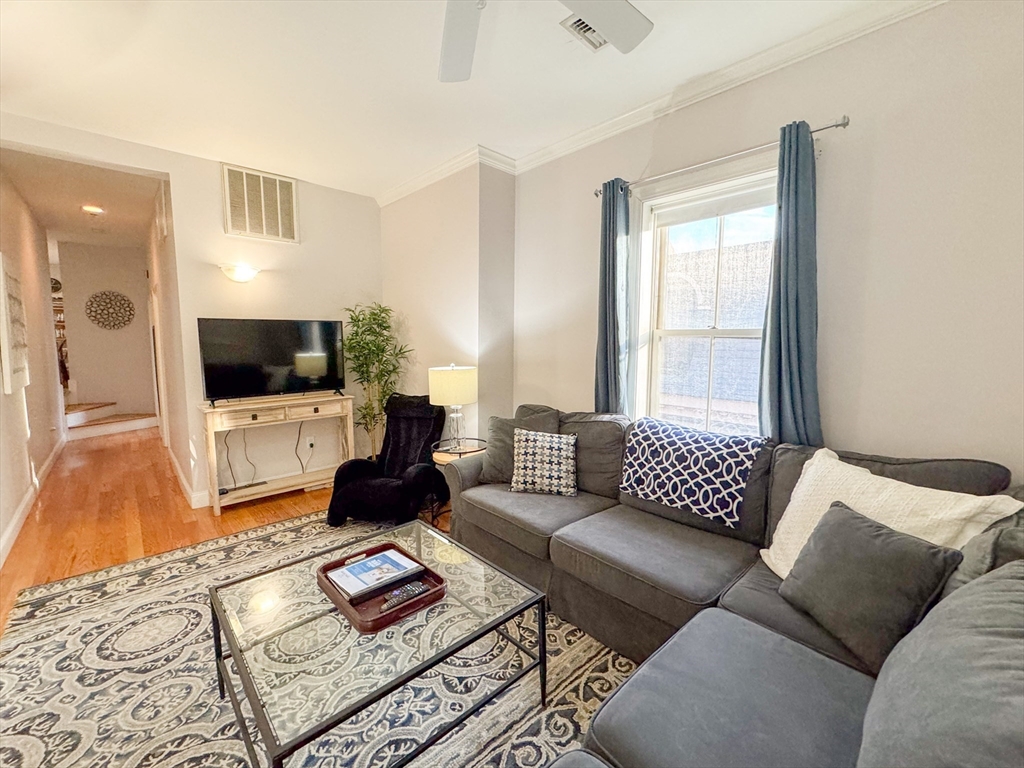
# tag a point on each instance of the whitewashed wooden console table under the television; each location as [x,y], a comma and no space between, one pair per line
[261,412]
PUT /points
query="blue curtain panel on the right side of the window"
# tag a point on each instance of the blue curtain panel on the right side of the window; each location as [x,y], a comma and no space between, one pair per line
[789,397]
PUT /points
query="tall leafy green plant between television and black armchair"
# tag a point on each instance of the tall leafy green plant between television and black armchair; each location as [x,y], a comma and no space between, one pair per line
[376,359]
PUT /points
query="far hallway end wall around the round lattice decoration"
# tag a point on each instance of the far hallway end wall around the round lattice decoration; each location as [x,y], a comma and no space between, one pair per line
[108,366]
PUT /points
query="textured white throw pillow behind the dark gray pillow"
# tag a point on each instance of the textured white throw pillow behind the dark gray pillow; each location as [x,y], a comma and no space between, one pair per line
[942,518]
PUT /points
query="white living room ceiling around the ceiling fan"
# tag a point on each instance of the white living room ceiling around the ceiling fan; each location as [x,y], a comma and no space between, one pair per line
[346,94]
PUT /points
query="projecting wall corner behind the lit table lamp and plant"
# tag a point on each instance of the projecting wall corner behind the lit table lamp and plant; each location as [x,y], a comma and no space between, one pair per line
[449,253]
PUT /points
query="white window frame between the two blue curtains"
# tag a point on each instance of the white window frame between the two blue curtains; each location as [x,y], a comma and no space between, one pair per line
[747,178]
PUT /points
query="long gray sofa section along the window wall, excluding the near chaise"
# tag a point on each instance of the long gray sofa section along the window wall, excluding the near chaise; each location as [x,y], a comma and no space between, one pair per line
[632,573]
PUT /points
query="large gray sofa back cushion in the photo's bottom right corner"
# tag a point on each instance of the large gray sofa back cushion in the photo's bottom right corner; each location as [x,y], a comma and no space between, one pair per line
[952,693]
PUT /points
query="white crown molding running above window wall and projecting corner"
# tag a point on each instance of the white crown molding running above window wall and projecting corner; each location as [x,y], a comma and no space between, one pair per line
[870,19]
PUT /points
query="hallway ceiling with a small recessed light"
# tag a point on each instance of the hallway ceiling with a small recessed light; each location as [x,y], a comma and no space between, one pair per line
[57,190]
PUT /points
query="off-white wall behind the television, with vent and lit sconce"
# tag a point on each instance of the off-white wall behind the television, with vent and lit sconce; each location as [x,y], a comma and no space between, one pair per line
[336,265]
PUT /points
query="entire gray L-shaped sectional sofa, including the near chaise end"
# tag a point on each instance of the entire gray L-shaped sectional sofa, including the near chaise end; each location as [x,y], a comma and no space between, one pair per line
[749,680]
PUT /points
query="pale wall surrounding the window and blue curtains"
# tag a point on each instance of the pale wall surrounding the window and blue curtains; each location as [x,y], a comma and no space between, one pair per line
[921,236]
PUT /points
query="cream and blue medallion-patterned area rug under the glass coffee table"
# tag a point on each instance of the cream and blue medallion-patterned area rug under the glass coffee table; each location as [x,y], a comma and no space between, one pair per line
[115,669]
